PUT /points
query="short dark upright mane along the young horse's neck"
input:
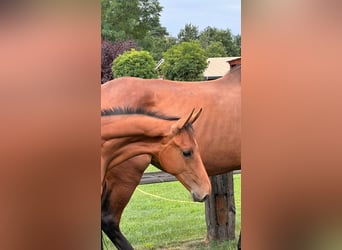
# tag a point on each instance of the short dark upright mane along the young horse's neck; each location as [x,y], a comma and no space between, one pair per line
[137,111]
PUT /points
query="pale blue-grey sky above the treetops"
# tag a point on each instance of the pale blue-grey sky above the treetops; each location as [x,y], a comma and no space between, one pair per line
[221,14]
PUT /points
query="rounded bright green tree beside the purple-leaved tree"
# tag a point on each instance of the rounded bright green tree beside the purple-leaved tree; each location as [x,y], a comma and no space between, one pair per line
[135,63]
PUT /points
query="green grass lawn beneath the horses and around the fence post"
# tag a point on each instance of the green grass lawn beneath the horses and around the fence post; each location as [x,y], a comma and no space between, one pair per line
[162,216]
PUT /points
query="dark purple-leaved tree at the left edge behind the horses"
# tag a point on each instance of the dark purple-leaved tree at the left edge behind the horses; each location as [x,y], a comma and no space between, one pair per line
[109,52]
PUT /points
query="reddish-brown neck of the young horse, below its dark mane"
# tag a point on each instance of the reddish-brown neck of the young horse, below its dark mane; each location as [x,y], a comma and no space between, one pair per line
[126,136]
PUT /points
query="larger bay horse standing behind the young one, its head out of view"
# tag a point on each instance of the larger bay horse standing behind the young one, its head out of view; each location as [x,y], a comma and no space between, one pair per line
[218,132]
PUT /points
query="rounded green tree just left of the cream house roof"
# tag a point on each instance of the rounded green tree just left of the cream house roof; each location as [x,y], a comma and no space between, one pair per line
[185,61]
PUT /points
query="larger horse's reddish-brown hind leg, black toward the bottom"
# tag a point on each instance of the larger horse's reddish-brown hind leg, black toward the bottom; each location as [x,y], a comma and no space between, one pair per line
[121,182]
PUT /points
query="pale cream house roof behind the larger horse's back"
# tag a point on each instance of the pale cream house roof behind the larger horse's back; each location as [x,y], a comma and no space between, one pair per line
[218,66]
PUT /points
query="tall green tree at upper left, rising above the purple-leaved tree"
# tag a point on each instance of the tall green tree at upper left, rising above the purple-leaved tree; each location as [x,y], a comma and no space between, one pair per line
[122,19]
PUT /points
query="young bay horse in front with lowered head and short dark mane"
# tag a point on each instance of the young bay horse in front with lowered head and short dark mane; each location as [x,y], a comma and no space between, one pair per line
[126,133]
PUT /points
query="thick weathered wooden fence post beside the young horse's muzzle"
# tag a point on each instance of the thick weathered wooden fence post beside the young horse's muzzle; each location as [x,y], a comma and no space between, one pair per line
[220,208]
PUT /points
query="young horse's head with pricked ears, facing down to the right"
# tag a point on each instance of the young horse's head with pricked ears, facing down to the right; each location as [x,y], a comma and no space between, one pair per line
[180,156]
